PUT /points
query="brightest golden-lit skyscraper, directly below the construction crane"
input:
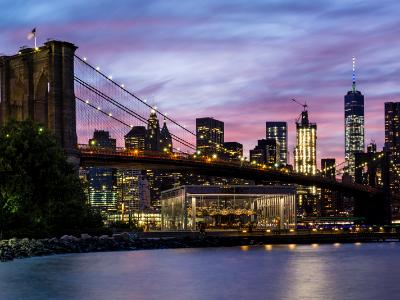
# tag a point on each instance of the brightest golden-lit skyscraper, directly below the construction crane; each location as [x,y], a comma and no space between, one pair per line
[305,153]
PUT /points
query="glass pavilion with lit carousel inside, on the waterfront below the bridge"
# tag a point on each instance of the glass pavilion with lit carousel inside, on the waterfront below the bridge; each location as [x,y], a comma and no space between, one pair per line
[228,207]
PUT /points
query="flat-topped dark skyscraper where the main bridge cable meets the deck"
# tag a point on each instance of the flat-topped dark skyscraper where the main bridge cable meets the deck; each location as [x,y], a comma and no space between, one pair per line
[209,136]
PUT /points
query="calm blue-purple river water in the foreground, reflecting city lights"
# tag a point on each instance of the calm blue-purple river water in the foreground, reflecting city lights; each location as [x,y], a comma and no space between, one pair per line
[339,271]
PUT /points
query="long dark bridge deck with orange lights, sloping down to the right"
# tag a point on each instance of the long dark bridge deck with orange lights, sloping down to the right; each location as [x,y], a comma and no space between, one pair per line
[146,160]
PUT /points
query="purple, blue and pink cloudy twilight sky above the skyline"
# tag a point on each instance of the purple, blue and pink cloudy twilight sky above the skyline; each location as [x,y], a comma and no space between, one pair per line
[238,61]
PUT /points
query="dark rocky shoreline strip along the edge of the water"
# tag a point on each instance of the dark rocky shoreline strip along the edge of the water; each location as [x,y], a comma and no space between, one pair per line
[23,248]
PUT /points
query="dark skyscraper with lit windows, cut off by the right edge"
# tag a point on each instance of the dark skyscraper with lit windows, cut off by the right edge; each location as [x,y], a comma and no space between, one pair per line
[392,142]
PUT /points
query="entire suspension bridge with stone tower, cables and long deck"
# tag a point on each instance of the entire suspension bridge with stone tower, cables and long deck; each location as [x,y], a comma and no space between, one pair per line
[52,86]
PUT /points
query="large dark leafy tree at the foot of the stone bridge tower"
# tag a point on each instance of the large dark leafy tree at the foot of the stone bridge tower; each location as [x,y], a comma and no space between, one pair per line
[40,192]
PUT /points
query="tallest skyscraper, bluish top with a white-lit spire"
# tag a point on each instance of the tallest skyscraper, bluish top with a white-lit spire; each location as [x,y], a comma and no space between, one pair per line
[353,124]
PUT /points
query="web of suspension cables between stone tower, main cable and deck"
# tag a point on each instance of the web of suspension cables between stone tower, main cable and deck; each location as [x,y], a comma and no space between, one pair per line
[126,108]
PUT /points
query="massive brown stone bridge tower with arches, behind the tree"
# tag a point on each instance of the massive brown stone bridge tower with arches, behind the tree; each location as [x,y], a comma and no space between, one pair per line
[38,84]
